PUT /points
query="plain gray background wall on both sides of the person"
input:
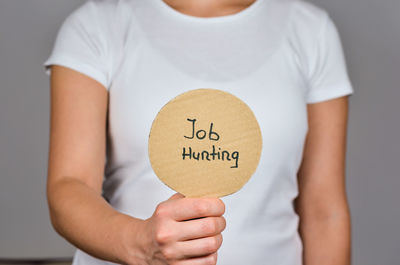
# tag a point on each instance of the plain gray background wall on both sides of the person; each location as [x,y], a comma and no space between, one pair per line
[370,32]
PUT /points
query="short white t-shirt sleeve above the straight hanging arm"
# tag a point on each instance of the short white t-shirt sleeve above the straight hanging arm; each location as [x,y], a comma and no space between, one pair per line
[328,77]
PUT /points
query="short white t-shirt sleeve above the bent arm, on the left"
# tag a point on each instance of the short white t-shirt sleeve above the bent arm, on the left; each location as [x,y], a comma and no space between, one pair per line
[81,45]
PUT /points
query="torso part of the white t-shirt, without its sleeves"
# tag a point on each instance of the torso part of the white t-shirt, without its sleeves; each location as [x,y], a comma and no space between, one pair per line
[162,53]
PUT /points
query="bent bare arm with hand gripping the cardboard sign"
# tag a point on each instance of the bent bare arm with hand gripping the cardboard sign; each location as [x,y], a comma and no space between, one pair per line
[80,214]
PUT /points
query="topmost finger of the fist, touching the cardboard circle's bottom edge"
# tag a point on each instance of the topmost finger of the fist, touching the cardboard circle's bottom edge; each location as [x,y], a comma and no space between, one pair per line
[190,208]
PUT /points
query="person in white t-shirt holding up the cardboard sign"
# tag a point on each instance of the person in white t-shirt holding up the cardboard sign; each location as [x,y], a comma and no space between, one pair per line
[115,63]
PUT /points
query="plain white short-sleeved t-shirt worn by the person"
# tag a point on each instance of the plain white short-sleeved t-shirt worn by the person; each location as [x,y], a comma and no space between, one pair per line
[276,55]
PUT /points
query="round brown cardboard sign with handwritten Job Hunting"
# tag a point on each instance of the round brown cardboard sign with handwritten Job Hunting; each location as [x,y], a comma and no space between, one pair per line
[205,143]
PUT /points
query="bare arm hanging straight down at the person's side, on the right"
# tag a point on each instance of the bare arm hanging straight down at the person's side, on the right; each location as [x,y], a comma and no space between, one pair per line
[322,203]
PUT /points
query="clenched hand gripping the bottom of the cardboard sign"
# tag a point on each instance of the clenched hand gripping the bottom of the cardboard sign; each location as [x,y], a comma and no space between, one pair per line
[185,231]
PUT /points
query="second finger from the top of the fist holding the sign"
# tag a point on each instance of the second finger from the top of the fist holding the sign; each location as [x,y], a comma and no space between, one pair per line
[198,228]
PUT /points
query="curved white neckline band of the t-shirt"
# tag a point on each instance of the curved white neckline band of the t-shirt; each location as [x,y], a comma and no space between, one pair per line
[190,18]
